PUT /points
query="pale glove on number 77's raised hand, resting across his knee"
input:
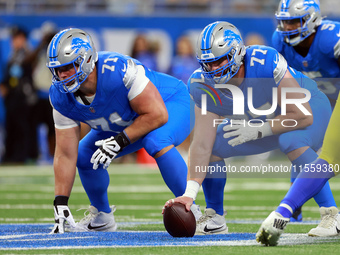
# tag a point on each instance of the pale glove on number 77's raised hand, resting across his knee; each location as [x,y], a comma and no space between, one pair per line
[244,133]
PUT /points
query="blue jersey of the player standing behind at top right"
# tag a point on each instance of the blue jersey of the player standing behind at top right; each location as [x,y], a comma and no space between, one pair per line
[322,59]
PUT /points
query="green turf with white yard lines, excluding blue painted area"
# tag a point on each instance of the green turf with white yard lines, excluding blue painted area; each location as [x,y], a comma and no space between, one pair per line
[26,196]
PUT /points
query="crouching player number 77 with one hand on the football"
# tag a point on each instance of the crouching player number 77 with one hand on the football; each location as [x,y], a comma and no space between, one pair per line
[233,74]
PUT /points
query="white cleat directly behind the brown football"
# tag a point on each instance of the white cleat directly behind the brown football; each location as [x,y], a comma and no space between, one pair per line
[211,223]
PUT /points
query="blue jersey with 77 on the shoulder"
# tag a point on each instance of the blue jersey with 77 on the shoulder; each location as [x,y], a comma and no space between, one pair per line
[264,69]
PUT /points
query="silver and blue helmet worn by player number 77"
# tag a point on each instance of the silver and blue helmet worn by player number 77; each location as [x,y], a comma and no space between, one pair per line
[219,41]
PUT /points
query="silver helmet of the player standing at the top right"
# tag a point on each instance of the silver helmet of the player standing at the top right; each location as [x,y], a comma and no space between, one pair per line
[306,12]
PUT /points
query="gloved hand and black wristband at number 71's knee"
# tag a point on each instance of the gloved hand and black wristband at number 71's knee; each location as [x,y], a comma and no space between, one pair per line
[109,149]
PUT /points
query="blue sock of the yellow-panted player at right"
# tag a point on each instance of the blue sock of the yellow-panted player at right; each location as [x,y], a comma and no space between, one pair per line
[306,186]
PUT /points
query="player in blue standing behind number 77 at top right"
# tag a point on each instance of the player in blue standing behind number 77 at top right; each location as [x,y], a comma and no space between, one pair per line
[310,45]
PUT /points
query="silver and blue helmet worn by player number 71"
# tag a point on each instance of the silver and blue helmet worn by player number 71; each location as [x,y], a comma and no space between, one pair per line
[71,48]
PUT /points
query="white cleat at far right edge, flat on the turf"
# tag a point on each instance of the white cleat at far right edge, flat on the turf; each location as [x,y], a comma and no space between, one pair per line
[330,223]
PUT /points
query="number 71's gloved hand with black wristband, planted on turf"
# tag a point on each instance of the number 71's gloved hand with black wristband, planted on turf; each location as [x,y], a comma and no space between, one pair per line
[62,215]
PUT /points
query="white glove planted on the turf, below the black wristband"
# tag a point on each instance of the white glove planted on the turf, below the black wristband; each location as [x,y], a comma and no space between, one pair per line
[62,214]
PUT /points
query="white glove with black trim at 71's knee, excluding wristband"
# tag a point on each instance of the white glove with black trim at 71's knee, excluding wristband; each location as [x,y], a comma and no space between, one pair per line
[107,151]
